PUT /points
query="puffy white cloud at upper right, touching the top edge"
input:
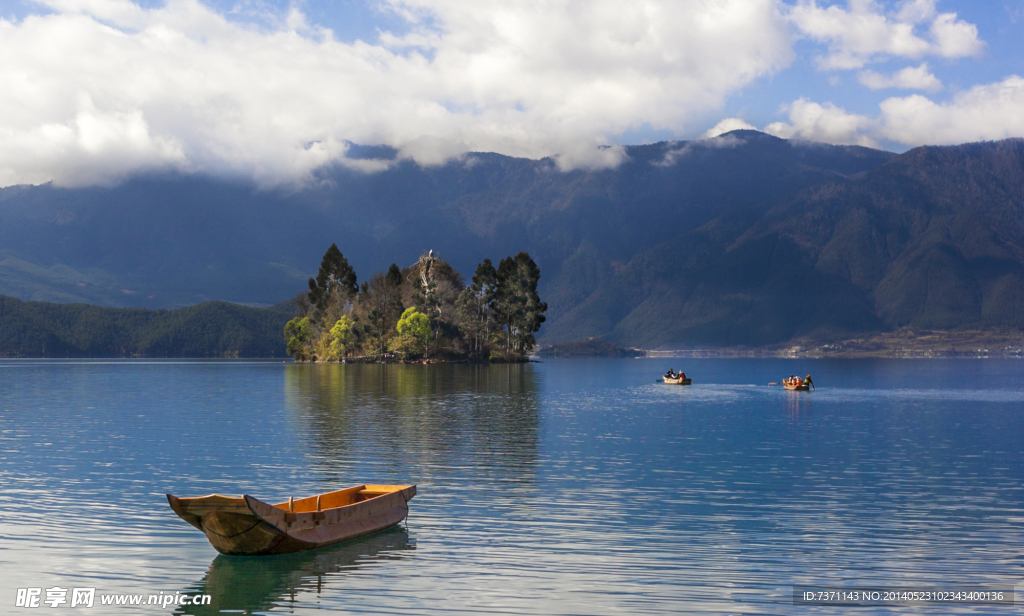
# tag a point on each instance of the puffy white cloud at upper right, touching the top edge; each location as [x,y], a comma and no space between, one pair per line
[863,32]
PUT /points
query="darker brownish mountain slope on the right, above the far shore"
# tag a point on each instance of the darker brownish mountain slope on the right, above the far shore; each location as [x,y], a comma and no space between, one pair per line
[933,239]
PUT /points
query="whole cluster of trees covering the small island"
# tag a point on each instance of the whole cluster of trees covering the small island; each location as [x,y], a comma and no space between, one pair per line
[422,312]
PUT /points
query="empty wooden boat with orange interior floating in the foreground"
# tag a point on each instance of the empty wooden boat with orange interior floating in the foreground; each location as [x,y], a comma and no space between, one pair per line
[247,526]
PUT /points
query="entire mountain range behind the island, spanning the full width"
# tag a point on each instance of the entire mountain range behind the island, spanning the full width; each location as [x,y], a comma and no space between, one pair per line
[743,240]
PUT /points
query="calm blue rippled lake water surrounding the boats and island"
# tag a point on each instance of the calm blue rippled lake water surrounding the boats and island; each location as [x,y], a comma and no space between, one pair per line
[564,488]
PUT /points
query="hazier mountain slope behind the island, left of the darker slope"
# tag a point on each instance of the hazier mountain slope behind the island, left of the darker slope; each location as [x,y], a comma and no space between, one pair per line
[168,242]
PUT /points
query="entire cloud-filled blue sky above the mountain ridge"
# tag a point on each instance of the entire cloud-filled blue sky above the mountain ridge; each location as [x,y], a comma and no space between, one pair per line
[98,91]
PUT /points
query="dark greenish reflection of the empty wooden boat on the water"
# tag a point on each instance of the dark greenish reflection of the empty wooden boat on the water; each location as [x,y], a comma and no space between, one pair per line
[253,585]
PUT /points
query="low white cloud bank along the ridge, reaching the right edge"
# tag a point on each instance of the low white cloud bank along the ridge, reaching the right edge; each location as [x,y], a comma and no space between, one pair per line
[988,112]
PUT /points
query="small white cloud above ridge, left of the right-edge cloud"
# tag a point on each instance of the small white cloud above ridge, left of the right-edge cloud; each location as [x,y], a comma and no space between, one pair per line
[827,123]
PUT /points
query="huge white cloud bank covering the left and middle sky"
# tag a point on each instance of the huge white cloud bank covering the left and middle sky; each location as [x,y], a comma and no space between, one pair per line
[96,91]
